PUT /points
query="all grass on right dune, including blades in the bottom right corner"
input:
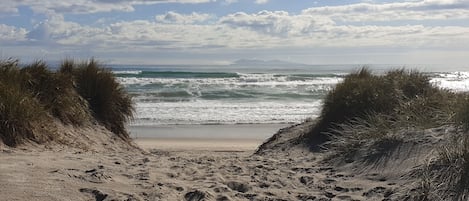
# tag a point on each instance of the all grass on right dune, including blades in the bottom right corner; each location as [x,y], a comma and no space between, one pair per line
[367,109]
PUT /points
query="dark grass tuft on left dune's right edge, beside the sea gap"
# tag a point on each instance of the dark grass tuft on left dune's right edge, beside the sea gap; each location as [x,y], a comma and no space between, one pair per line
[107,99]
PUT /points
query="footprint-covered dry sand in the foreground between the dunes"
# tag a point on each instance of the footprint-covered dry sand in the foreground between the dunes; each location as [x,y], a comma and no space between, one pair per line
[166,174]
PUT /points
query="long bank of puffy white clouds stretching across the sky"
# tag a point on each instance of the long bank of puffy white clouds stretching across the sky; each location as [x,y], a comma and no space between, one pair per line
[239,30]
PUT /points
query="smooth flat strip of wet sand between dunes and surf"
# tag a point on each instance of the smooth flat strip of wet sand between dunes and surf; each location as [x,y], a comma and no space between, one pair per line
[231,138]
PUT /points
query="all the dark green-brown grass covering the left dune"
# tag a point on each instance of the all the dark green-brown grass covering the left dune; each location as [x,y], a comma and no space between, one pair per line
[32,96]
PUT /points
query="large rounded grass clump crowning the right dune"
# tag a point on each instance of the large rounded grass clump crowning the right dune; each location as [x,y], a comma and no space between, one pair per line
[374,105]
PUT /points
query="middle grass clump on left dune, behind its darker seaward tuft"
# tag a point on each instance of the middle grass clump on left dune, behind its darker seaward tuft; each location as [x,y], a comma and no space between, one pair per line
[57,94]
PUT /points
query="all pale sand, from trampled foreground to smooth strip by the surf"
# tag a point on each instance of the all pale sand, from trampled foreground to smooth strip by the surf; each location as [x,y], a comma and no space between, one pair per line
[190,169]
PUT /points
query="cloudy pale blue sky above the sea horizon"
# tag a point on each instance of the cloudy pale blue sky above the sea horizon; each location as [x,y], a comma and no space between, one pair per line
[223,31]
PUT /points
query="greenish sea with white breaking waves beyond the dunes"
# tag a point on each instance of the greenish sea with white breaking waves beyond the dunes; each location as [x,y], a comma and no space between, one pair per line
[227,95]
